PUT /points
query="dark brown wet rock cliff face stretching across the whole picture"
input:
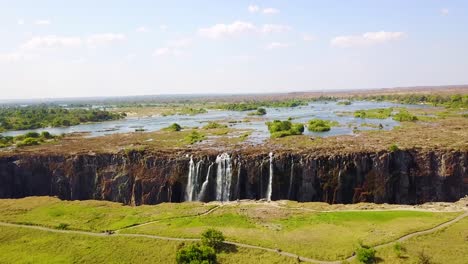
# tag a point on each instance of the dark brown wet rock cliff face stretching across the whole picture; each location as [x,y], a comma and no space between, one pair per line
[406,177]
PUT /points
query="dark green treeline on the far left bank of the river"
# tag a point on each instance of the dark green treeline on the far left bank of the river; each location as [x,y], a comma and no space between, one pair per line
[32,117]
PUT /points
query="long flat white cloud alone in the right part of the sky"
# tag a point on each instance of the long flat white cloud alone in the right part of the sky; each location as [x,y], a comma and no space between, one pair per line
[366,39]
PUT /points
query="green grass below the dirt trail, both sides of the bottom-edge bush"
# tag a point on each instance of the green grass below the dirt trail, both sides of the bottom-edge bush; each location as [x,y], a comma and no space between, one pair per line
[20,245]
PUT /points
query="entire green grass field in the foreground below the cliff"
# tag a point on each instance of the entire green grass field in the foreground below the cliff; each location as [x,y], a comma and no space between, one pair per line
[318,235]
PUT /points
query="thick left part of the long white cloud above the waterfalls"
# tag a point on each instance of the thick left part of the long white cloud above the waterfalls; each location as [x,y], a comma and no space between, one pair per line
[223,30]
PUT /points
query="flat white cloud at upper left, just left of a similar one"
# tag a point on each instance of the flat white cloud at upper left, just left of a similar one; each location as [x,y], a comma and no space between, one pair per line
[51,42]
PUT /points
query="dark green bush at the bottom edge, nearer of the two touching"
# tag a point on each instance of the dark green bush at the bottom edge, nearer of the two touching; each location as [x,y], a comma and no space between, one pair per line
[196,254]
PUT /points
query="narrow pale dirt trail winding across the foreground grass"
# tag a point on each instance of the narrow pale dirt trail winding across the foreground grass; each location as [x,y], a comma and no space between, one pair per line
[283,253]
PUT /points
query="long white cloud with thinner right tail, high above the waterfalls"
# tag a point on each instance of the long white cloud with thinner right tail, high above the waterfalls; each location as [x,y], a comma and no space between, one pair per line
[240,27]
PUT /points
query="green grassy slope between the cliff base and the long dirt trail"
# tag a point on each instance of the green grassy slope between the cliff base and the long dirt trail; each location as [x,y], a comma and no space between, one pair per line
[325,235]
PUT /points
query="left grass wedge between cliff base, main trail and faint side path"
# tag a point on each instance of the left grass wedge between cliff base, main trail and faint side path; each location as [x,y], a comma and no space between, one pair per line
[90,215]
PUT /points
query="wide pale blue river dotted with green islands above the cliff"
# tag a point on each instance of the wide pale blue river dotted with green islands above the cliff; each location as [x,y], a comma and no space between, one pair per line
[322,110]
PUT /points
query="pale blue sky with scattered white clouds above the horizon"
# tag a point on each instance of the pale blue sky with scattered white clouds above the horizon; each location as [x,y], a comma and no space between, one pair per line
[81,48]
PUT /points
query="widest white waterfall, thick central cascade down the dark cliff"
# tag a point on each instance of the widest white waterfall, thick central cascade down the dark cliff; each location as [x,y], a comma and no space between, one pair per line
[223,177]
